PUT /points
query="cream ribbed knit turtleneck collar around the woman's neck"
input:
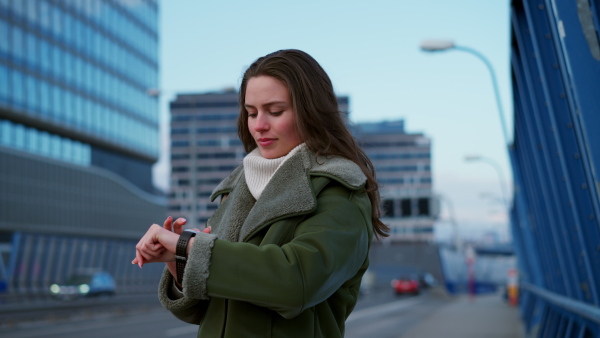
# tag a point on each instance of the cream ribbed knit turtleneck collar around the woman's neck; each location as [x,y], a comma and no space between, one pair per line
[259,170]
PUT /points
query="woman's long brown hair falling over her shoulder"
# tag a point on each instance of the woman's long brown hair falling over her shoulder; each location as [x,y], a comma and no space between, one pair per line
[320,123]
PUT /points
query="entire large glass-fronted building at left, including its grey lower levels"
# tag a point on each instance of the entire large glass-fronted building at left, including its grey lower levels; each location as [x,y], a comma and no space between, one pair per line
[78,138]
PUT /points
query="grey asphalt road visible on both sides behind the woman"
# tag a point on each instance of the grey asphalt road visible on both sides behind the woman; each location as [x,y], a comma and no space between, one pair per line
[378,314]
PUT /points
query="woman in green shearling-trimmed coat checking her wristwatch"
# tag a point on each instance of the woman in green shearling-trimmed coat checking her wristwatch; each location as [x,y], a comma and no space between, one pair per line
[289,243]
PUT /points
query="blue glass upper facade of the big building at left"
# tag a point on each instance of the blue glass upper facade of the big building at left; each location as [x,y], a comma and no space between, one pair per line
[79,70]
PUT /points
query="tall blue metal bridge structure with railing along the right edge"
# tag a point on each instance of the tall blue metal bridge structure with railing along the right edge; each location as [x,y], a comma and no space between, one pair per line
[556,162]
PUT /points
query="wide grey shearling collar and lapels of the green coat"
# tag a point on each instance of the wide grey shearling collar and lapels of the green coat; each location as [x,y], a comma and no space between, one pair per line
[288,193]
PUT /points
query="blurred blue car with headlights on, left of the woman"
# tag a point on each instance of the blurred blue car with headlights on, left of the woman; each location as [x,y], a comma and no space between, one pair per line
[85,284]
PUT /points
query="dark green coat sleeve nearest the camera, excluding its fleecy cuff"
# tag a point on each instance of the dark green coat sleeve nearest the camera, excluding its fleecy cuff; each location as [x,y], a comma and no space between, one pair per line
[328,248]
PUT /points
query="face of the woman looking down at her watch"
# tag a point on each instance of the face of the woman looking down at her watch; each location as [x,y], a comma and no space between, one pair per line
[271,117]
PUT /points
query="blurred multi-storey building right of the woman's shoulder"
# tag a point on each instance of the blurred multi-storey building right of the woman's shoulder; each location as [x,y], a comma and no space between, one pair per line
[403,166]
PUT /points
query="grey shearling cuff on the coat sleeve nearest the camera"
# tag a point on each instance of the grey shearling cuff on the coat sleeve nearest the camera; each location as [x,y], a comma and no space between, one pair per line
[197,267]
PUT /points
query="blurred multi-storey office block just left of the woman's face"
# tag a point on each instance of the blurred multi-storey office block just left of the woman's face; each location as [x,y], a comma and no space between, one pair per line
[205,148]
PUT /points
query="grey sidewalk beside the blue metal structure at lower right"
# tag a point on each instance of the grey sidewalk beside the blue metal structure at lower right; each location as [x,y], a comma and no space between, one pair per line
[465,317]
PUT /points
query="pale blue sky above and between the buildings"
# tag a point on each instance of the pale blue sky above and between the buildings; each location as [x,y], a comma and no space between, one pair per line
[371,51]
